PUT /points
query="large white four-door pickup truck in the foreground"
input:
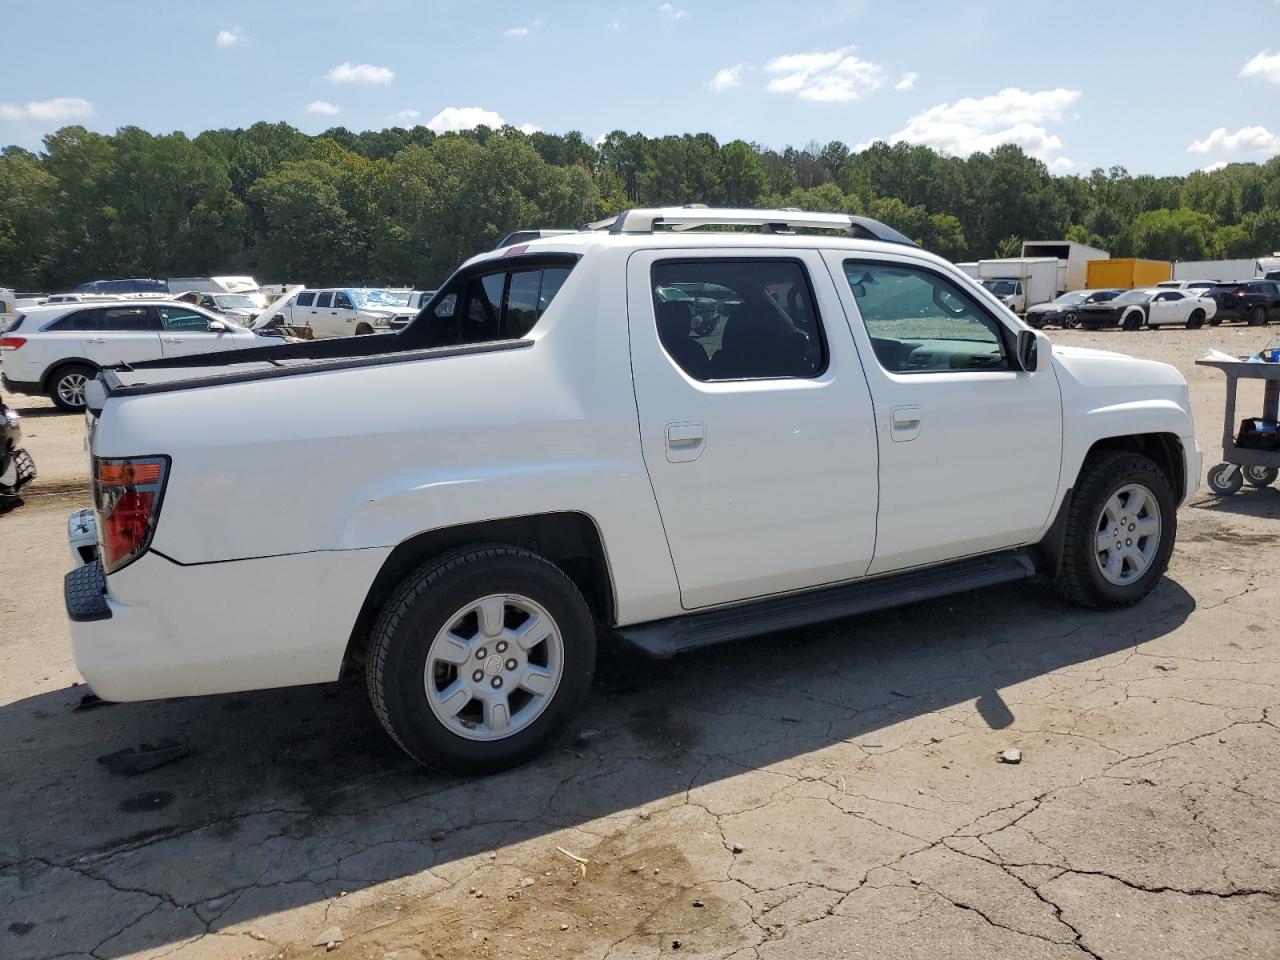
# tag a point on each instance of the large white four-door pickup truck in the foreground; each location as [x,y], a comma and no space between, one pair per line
[552,456]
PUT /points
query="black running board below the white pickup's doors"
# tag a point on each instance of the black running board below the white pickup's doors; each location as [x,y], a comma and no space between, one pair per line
[691,632]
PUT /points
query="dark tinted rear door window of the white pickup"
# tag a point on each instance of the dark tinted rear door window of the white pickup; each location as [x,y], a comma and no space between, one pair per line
[739,319]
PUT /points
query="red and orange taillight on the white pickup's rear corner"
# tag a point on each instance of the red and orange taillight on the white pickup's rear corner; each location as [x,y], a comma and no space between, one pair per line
[127,493]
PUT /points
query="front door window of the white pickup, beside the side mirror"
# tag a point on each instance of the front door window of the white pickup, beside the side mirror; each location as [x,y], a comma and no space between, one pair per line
[922,323]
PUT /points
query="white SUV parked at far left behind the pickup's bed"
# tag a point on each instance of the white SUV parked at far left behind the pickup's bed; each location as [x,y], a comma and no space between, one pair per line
[56,350]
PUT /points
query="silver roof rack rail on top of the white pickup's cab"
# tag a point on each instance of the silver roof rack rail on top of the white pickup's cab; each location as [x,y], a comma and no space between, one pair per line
[688,218]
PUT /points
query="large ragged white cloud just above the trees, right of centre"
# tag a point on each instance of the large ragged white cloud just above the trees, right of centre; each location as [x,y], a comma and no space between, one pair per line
[1013,116]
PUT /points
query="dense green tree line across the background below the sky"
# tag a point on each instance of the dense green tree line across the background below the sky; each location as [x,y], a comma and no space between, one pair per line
[406,207]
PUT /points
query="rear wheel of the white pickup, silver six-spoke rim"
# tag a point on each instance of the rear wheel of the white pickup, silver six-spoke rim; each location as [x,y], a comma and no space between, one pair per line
[481,660]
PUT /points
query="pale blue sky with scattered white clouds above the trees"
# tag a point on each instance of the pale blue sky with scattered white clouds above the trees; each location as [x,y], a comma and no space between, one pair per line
[1156,88]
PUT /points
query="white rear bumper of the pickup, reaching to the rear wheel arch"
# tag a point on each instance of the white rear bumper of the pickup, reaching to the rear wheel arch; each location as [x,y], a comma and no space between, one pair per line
[164,630]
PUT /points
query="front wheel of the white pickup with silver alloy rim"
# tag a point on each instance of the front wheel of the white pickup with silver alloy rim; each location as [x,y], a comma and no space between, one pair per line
[1121,532]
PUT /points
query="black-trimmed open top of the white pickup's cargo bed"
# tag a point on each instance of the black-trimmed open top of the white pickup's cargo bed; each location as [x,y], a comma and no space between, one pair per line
[281,360]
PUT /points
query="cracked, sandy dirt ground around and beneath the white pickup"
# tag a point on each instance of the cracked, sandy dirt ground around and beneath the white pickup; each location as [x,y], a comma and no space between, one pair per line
[816,794]
